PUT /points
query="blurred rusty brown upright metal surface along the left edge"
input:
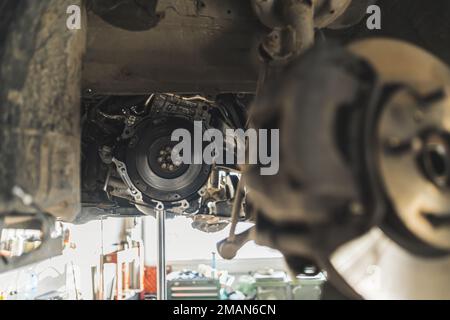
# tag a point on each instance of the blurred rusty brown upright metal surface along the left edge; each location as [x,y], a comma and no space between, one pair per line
[39,109]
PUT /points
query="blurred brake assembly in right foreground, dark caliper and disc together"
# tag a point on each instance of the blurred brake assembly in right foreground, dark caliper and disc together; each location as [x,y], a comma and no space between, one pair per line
[366,157]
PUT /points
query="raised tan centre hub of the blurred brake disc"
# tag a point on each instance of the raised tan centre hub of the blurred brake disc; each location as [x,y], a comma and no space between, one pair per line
[414,162]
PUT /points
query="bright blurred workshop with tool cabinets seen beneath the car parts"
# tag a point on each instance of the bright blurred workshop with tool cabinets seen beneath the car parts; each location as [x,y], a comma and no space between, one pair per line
[115,259]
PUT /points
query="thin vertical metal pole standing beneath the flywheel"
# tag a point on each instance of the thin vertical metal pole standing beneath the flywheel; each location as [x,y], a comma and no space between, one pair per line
[161,266]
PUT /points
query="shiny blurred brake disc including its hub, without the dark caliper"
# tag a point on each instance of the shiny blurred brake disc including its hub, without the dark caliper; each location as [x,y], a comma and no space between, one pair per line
[407,256]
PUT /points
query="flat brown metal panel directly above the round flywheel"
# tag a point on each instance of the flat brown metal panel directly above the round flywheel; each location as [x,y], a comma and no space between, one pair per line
[207,46]
